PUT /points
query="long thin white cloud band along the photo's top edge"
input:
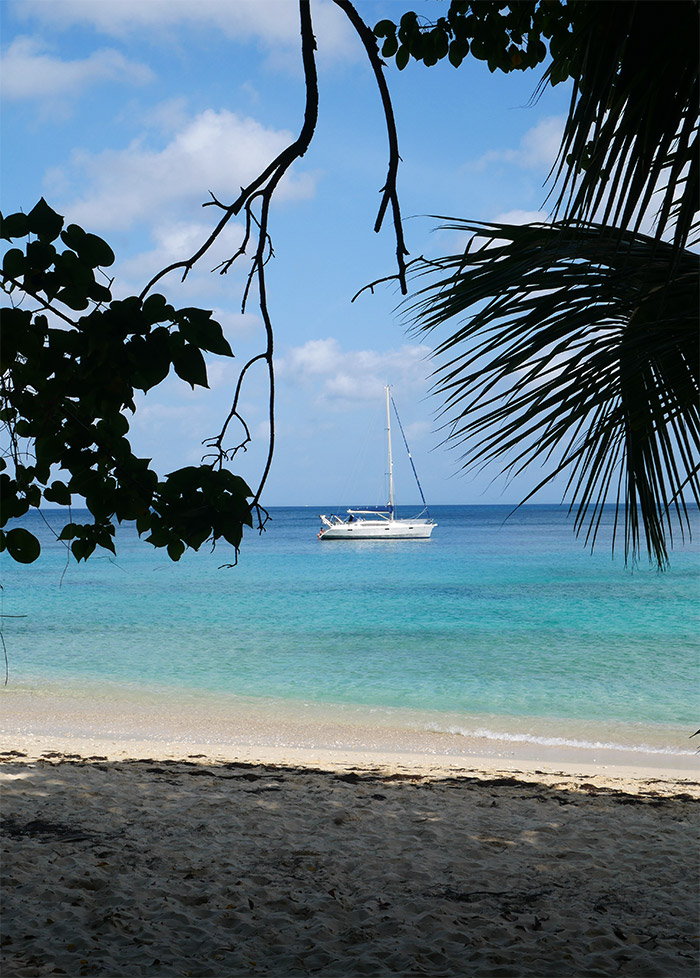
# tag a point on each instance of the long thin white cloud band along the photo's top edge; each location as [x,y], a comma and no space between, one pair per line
[274,23]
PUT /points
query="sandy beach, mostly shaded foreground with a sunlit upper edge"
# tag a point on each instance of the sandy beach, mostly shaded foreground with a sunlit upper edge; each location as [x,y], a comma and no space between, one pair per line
[132,857]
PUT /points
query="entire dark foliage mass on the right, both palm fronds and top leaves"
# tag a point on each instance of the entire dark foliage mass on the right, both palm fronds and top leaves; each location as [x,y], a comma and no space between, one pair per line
[576,342]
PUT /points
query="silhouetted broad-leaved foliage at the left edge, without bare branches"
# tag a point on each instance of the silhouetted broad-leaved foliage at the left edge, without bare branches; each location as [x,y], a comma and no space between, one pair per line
[67,384]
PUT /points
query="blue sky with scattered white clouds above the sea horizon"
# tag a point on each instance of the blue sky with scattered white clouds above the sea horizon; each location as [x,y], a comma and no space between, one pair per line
[124,114]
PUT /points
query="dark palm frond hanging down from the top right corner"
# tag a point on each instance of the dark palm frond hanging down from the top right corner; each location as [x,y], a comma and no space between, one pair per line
[630,145]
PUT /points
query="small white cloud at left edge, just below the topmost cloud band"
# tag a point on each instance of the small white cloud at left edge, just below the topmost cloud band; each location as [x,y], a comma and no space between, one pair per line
[28,70]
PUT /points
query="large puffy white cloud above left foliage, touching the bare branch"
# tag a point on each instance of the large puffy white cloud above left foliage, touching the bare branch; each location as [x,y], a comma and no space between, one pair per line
[215,151]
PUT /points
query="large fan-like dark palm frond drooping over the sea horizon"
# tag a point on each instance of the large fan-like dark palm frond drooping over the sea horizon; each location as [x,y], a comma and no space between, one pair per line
[576,349]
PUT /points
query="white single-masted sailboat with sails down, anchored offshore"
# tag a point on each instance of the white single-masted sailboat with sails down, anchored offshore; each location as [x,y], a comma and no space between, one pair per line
[381,522]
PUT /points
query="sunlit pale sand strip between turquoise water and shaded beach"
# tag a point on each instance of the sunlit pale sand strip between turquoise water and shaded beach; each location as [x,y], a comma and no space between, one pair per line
[308,737]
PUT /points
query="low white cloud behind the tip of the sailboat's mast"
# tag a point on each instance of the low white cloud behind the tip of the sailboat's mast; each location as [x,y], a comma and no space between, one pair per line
[341,376]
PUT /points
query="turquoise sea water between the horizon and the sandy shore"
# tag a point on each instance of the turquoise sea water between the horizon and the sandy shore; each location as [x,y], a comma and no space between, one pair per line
[495,620]
